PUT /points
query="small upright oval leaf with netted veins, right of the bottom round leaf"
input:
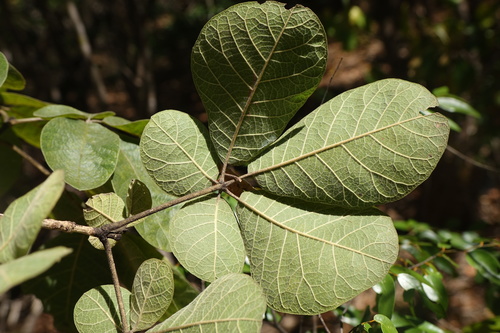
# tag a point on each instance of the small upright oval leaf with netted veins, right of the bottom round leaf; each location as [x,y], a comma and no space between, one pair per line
[151,294]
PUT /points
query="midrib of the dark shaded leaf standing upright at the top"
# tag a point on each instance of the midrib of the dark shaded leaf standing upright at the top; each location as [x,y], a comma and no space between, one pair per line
[250,98]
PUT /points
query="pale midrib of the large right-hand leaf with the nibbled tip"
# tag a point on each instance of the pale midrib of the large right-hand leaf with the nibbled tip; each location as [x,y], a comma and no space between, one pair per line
[331,146]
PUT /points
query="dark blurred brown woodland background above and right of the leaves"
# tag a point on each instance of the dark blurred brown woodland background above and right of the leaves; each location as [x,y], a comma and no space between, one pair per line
[133,57]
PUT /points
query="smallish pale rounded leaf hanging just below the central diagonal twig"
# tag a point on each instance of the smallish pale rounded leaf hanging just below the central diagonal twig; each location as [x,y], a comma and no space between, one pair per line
[206,239]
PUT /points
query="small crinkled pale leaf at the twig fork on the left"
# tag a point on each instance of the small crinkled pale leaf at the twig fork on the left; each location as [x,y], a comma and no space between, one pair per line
[103,209]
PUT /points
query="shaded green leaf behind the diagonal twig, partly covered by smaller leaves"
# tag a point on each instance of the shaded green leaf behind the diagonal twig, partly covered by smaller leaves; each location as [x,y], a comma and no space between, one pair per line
[154,228]
